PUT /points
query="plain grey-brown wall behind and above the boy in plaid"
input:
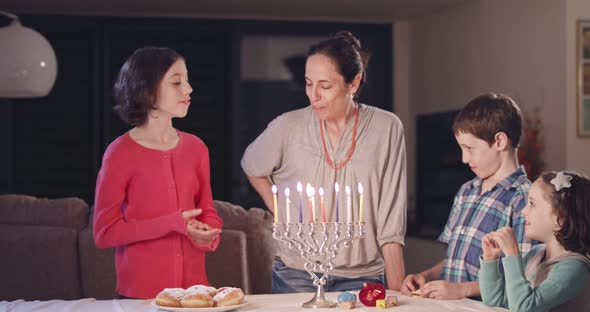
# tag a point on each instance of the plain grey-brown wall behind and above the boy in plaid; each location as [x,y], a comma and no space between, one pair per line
[513,47]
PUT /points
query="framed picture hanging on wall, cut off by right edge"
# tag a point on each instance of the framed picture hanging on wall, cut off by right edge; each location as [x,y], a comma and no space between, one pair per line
[583,97]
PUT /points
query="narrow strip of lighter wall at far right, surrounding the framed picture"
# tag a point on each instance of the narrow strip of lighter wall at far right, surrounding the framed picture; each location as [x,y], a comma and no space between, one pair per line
[578,149]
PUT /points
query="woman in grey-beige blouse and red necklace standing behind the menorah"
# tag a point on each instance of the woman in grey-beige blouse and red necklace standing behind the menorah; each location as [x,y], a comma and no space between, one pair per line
[337,140]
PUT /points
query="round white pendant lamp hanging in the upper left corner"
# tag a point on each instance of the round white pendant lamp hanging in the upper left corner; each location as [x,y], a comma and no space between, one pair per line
[28,66]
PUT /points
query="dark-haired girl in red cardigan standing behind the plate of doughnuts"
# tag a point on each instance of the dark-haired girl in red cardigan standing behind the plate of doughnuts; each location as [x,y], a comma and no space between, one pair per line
[153,195]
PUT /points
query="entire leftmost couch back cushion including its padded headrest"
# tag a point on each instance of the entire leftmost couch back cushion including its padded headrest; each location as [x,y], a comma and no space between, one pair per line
[39,243]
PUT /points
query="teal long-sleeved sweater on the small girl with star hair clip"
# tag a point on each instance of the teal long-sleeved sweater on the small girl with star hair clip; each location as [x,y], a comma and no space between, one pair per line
[544,285]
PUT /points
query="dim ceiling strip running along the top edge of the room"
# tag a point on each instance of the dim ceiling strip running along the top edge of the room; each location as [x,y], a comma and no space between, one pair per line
[343,10]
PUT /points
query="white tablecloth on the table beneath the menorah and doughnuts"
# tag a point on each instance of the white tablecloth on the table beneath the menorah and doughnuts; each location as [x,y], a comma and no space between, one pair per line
[256,303]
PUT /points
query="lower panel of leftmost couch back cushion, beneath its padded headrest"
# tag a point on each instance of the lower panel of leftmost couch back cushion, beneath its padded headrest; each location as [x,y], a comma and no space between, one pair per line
[38,262]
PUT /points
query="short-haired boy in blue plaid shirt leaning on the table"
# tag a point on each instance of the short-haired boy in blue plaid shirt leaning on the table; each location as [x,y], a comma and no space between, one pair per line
[488,131]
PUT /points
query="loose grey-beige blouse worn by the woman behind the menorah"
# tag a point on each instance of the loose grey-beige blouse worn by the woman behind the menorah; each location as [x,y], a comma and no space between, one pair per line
[291,150]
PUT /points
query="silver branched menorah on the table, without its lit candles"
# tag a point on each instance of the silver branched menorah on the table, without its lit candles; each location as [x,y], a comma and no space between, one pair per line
[318,244]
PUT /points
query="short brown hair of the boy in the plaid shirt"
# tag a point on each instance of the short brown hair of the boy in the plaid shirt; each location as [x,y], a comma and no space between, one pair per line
[489,114]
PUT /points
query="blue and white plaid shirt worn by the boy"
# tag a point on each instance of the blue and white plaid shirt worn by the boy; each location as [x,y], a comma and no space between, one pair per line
[474,215]
